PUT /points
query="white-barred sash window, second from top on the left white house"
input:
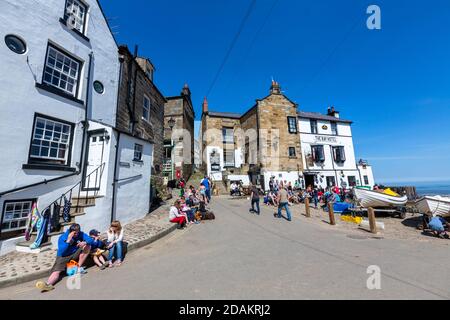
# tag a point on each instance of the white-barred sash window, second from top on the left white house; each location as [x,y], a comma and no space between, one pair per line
[61,71]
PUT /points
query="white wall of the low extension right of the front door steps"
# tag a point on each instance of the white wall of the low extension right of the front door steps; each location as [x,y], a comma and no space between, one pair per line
[133,195]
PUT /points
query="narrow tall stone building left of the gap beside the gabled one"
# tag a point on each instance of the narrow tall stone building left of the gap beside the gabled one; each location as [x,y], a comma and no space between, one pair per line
[179,135]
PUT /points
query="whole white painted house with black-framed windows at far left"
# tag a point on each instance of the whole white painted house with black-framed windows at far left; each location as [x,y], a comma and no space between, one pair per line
[60,70]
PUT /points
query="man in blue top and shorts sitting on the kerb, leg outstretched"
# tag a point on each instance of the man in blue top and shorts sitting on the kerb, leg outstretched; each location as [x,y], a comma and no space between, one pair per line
[72,245]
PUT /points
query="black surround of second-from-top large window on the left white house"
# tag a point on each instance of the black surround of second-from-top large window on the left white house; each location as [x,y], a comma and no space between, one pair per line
[56,90]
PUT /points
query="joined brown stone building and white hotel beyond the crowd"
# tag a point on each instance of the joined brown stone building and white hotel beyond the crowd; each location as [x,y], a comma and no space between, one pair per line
[275,140]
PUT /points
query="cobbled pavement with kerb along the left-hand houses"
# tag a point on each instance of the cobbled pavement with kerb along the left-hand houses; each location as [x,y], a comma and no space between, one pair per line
[17,267]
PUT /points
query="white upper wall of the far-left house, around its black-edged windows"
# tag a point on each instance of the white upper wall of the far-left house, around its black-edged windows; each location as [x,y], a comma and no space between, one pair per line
[37,23]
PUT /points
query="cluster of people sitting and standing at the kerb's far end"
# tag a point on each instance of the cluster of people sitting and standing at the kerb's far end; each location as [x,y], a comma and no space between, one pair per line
[190,207]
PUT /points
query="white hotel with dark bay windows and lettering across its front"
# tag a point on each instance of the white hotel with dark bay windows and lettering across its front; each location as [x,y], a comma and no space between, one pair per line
[328,154]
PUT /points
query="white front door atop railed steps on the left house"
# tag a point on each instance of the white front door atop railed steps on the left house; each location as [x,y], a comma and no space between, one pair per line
[93,169]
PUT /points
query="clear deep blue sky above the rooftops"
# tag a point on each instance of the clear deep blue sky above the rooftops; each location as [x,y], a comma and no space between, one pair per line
[394,83]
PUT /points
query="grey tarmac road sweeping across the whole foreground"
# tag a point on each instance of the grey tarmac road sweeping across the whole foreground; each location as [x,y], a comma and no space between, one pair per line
[243,256]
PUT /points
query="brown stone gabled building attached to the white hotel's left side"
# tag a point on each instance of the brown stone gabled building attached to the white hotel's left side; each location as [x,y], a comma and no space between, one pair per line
[261,143]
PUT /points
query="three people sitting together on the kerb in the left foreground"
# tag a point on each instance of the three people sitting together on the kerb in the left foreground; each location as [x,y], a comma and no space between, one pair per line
[75,247]
